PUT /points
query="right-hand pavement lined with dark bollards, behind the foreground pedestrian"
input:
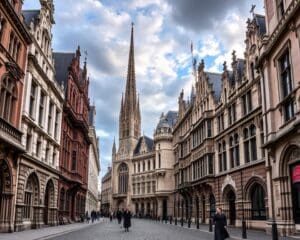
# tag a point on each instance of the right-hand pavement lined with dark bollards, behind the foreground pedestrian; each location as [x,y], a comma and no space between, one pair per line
[234,232]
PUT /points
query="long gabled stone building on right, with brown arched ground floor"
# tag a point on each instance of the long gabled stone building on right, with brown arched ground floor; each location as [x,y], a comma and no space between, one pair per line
[218,139]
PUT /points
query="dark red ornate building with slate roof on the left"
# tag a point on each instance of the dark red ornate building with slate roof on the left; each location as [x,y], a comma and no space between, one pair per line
[75,139]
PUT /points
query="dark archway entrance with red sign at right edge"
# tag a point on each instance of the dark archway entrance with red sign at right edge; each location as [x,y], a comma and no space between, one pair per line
[295,187]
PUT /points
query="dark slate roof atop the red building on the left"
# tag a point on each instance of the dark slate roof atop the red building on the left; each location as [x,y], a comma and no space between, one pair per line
[62,61]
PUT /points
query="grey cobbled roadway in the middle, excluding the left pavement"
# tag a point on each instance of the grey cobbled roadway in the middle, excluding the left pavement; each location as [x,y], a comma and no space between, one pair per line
[149,230]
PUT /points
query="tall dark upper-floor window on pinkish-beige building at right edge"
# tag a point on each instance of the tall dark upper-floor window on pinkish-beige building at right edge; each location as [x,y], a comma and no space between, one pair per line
[286,85]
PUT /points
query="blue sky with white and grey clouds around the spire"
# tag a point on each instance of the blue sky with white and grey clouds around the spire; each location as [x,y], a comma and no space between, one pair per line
[164,30]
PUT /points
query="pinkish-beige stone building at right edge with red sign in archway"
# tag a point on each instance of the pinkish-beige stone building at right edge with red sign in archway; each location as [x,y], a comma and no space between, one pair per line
[279,64]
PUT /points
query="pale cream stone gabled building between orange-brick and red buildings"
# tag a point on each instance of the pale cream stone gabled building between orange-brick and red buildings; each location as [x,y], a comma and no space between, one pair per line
[41,122]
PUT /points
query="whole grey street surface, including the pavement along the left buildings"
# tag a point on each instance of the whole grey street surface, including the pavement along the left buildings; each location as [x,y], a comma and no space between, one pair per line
[141,230]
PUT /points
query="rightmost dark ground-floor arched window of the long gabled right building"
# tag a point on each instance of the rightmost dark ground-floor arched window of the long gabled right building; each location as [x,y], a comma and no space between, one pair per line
[258,202]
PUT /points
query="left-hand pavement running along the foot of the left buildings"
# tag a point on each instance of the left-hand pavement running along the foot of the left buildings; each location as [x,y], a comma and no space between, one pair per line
[44,233]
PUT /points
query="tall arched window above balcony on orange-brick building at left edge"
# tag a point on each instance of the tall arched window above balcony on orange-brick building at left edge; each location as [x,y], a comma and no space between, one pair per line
[8,97]
